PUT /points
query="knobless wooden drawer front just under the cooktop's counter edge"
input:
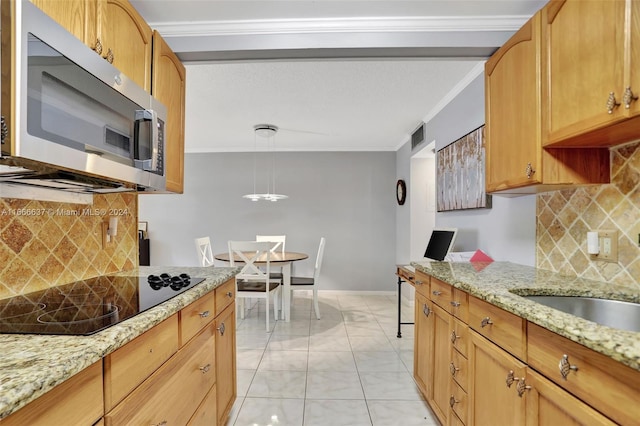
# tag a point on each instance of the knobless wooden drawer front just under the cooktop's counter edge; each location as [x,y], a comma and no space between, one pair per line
[130,365]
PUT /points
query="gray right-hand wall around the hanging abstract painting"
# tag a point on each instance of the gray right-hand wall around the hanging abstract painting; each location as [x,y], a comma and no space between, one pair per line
[507,230]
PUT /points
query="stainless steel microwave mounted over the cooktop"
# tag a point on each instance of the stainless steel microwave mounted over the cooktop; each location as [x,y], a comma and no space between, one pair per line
[72,110]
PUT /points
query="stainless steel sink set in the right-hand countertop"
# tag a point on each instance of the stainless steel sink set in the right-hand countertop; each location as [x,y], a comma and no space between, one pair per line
[612,313]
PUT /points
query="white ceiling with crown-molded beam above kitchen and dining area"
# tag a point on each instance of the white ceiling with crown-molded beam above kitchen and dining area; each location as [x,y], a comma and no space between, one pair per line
[333,75]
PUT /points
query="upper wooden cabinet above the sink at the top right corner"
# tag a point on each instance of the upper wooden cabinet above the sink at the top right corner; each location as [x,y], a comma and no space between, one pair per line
[590,80]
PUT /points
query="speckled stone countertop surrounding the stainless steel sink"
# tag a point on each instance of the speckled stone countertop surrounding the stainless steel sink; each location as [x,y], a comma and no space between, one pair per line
[497,283]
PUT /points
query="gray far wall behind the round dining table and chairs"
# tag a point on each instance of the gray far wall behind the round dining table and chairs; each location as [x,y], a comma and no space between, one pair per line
[347,197]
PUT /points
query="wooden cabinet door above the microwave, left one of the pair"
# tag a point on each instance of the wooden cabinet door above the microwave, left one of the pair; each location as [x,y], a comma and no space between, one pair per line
[76,16]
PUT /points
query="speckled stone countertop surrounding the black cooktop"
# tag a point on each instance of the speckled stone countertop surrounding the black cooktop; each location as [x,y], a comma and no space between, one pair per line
[31,365]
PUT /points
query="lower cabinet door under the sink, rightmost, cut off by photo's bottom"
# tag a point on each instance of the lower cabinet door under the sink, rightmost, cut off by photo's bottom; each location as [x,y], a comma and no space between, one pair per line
[548,404]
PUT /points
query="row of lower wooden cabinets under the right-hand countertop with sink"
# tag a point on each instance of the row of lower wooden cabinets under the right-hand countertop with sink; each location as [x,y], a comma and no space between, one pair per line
[500,369]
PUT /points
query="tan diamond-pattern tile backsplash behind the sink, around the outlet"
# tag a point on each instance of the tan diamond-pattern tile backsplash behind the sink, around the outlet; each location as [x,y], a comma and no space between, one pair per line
[565,217]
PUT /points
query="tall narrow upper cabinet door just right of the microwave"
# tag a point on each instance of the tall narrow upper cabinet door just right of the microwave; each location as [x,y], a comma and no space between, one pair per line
[168,86]
